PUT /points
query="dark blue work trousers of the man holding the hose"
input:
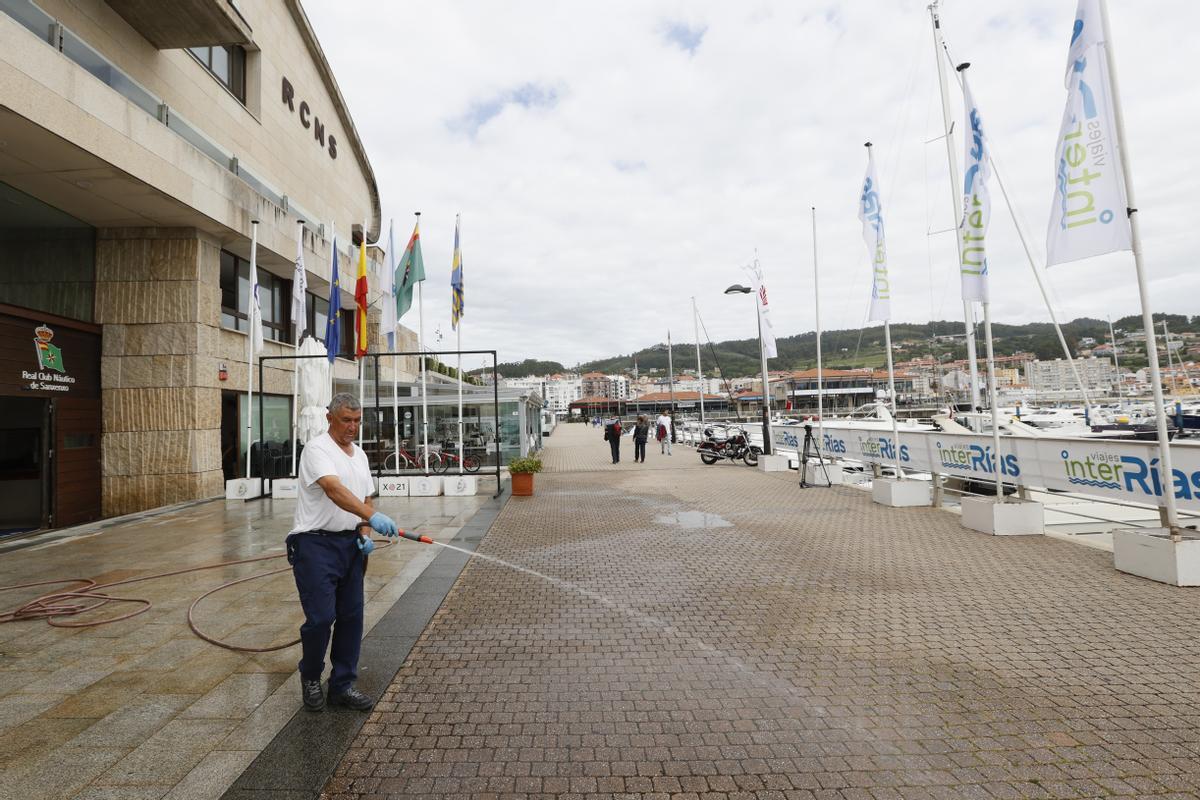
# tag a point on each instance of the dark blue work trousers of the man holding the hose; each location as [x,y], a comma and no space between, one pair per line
[329,578]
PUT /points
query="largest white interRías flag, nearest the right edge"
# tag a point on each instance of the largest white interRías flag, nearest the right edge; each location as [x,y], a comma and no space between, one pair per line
[1089,214]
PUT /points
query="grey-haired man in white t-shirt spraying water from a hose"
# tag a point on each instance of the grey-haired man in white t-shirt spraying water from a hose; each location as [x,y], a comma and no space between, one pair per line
[328,552]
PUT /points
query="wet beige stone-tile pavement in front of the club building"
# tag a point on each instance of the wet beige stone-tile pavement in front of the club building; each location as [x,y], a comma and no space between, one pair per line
[143,709]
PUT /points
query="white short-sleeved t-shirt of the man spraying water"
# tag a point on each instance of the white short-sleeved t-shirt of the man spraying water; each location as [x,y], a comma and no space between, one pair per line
[322,458]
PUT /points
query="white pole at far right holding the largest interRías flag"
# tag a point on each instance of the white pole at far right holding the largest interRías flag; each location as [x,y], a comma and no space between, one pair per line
[1148,318]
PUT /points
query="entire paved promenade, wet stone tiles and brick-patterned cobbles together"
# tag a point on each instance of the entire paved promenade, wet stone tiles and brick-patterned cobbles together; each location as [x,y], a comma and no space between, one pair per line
[662,630]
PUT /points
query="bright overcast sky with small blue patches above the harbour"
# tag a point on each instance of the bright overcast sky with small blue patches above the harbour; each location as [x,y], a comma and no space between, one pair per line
[614,160]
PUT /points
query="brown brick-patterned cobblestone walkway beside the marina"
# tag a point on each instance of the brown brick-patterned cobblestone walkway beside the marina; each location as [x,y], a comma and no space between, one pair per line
[717,633]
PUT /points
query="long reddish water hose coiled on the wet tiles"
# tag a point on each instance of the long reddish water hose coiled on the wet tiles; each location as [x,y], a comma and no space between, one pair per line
[58,607]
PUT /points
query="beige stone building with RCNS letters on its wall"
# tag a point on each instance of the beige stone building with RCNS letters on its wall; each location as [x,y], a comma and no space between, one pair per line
[137,147]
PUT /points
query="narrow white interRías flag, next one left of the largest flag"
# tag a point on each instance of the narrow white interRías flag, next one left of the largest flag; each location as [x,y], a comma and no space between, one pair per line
[976,204]
